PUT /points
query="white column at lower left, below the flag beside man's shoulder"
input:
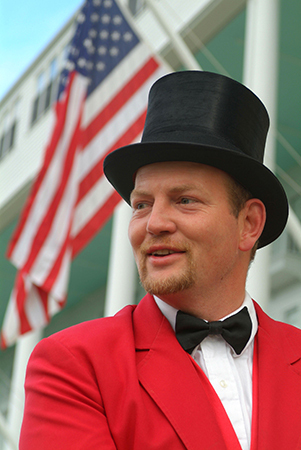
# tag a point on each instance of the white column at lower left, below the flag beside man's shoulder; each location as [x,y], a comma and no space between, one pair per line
[23,350]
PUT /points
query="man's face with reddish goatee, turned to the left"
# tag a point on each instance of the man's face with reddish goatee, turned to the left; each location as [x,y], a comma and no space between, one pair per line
[183,233]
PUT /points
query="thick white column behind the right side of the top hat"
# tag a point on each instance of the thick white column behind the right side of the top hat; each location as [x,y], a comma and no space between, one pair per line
[261,76]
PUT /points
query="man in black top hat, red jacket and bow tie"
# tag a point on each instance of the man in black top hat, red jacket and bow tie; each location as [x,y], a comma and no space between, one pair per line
[197,364]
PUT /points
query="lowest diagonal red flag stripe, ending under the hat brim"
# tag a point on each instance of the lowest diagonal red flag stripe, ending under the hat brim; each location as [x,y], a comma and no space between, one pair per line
[99,219]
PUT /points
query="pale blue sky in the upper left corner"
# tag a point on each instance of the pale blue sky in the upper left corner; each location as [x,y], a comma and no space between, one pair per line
[26,27]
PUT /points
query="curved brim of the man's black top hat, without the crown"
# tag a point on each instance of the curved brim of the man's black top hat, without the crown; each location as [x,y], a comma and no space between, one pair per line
[121,166]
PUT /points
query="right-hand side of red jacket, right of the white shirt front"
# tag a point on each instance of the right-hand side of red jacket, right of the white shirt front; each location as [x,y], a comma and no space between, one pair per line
[277,385]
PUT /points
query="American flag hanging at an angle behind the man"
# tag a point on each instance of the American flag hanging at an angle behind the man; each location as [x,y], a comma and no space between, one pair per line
[101,106]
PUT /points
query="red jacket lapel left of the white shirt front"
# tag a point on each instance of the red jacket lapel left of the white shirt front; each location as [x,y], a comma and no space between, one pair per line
[178,385]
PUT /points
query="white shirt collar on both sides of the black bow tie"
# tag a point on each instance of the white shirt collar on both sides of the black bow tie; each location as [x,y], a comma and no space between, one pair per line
[170,313]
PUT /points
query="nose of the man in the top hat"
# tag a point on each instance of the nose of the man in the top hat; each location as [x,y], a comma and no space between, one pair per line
[161,220]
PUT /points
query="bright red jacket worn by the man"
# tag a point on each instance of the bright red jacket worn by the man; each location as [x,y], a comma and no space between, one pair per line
[125,383]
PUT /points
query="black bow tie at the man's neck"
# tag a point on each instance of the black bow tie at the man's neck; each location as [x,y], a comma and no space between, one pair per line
[236,330]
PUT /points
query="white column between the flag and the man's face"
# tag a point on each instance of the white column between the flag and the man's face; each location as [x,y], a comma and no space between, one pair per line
[122,270]
